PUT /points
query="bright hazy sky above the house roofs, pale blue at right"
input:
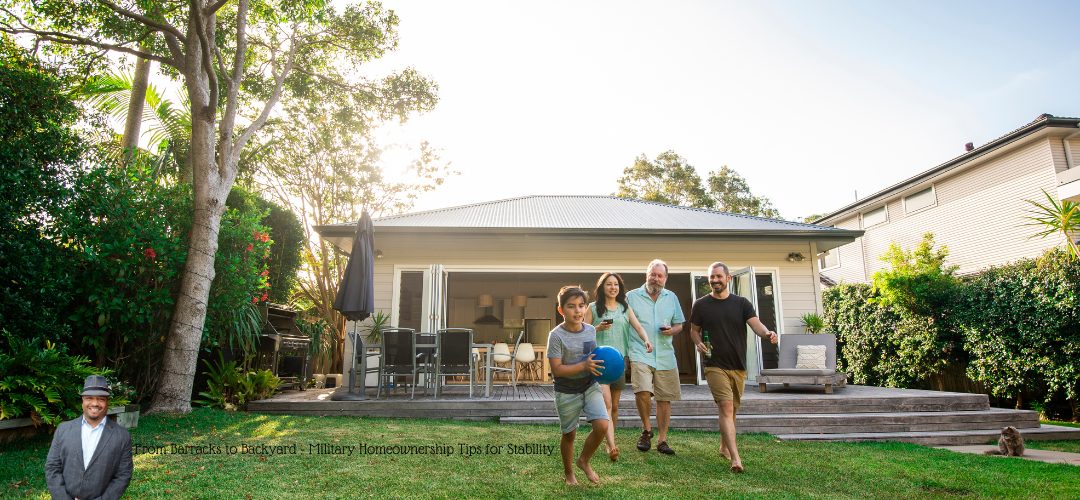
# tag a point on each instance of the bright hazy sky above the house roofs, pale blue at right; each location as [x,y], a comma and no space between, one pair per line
[814,102]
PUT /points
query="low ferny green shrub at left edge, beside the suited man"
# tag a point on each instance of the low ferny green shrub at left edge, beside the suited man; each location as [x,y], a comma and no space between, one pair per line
[39,380]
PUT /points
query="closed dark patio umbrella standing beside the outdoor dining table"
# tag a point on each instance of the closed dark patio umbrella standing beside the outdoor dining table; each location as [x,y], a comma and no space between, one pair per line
[356,298]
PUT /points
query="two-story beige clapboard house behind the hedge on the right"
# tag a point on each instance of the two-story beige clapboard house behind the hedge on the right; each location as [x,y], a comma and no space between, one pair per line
[974,205]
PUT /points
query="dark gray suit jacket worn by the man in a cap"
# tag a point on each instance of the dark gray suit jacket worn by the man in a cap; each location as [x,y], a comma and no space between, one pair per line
[110,470]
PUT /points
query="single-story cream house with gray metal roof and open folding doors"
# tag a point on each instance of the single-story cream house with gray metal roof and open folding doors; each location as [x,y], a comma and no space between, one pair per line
[496,267]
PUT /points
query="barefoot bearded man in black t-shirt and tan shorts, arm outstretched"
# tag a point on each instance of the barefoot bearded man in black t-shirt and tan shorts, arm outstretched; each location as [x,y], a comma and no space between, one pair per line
[725,317]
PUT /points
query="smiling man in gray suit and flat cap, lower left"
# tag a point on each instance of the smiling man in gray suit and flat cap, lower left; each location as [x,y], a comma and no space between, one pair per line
[91,456]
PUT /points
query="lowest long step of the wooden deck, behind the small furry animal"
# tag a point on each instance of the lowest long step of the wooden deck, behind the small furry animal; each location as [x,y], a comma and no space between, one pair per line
[1045,433]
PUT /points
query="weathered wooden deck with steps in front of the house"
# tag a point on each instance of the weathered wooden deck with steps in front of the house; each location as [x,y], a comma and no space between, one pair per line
[855,413]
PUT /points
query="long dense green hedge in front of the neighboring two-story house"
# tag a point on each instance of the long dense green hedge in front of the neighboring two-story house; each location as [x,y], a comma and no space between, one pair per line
[1015,329]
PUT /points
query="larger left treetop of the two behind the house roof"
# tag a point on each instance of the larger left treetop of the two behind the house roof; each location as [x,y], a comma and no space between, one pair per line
[667,180]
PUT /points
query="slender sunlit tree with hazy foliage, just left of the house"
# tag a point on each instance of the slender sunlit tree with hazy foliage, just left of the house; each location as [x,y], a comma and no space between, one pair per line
[328,171]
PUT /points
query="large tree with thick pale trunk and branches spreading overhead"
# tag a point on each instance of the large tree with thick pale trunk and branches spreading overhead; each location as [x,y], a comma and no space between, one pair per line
[237,60]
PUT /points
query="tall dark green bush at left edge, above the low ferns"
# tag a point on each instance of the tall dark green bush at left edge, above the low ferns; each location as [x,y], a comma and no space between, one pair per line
[38,146]
